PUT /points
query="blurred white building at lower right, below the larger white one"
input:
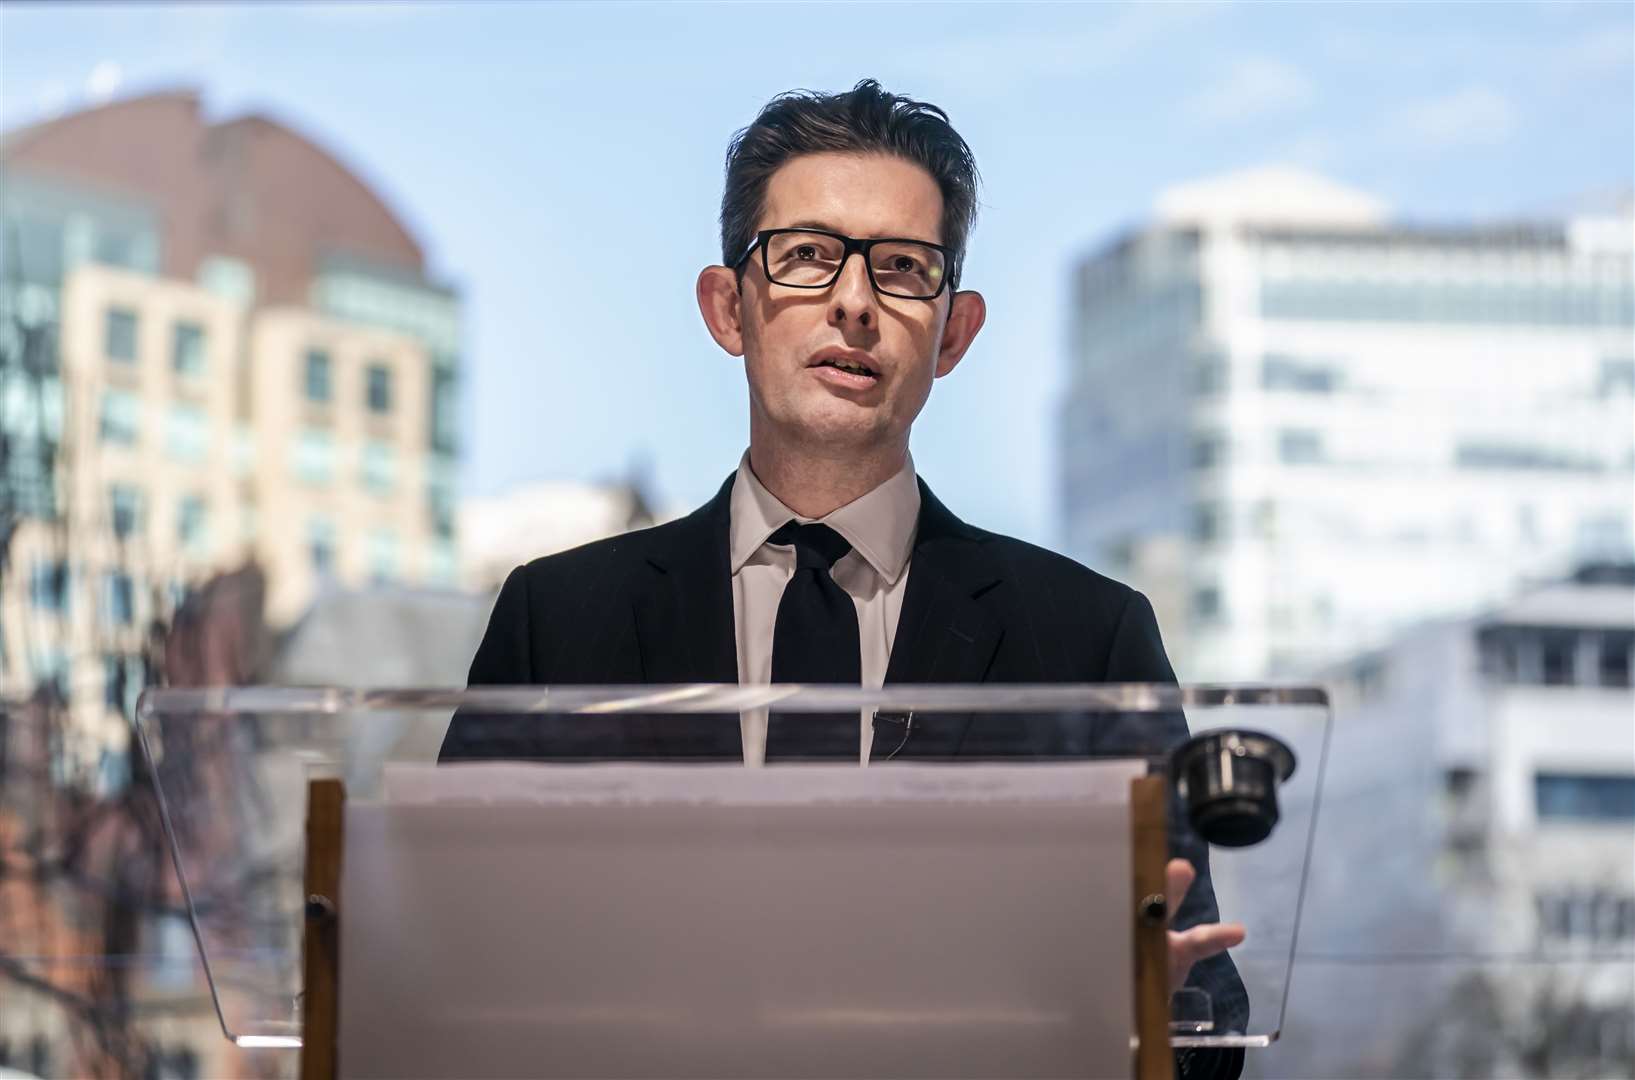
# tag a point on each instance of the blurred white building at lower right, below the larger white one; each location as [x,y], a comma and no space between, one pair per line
[1471,909]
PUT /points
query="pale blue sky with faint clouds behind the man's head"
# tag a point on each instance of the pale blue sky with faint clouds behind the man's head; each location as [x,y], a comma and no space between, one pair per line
[563,163]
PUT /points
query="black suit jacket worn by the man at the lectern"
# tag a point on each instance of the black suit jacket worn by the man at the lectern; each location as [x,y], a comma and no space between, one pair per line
[656,607]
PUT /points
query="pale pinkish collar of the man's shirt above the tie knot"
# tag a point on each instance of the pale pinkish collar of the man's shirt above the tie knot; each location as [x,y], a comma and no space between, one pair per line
[879,525]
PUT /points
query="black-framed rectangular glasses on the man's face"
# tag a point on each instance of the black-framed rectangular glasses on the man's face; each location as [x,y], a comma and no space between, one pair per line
[813,259]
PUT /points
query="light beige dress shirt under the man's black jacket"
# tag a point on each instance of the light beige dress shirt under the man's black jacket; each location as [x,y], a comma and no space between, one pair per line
[880,529]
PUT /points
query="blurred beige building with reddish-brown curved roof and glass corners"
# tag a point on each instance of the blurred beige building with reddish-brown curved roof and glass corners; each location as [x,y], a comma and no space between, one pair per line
[218,347]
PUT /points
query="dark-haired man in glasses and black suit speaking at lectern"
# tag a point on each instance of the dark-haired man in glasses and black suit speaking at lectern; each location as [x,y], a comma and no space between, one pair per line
[823,558]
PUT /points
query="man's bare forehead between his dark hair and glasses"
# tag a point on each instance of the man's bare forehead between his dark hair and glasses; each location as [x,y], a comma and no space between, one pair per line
[862,195]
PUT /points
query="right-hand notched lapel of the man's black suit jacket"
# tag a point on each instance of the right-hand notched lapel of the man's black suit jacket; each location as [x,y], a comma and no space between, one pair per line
[944,635]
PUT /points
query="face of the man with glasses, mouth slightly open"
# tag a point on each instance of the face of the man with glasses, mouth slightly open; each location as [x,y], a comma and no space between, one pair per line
[786,332]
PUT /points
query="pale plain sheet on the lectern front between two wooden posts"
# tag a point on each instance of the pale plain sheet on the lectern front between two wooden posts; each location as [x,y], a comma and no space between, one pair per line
[699,921]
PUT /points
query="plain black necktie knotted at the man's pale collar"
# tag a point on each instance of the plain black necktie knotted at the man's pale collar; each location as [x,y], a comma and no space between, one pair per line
[815,641]
